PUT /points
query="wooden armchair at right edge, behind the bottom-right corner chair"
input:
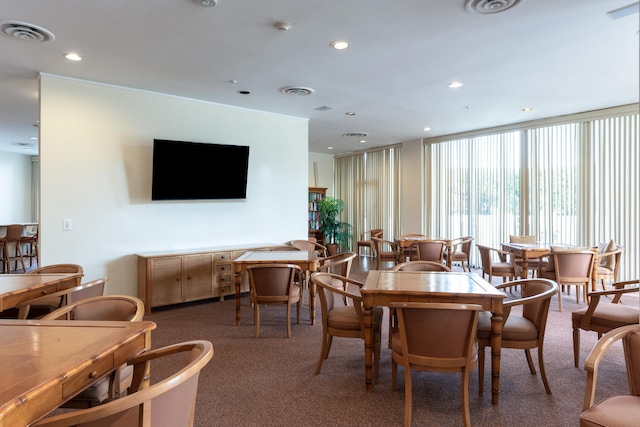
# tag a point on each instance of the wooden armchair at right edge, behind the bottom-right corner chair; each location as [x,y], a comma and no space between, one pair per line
[603,316]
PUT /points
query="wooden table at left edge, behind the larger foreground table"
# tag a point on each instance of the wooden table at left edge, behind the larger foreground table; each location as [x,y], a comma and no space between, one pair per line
[18,288]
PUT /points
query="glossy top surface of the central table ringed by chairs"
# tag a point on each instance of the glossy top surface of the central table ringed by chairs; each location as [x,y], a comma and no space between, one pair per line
[420,282]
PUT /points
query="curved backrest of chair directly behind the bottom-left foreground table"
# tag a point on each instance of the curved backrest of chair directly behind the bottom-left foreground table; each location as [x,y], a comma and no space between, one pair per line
[107,307]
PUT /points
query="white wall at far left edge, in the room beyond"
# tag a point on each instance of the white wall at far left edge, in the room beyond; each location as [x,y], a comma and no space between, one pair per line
[15,188]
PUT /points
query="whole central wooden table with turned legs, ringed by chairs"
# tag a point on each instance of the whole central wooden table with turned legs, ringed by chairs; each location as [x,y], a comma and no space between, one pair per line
[384,286]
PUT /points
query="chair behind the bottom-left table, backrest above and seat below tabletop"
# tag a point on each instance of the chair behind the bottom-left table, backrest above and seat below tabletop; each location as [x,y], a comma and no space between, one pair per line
[108,308]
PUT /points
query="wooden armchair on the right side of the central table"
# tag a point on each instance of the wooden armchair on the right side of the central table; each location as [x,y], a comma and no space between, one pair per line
[523,330]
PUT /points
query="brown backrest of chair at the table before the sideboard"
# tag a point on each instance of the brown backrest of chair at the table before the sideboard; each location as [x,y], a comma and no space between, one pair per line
[272,282]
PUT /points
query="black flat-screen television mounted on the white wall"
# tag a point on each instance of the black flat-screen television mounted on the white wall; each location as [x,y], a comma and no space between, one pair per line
[198,171]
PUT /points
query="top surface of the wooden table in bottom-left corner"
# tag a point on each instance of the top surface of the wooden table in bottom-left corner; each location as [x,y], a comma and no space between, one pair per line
[37,354]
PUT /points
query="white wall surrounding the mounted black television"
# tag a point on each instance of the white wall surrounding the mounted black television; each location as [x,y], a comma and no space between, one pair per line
[95,156]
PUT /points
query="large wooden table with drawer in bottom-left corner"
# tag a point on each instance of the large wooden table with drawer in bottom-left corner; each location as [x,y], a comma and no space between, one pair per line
[46,363]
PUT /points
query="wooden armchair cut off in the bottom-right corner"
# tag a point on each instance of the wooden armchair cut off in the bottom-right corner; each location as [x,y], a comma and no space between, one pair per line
[620,410]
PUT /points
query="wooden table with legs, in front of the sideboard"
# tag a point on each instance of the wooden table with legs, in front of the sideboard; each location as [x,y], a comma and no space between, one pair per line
[308,261]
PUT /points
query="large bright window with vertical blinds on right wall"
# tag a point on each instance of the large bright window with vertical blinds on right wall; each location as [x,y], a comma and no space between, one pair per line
[572,183]
